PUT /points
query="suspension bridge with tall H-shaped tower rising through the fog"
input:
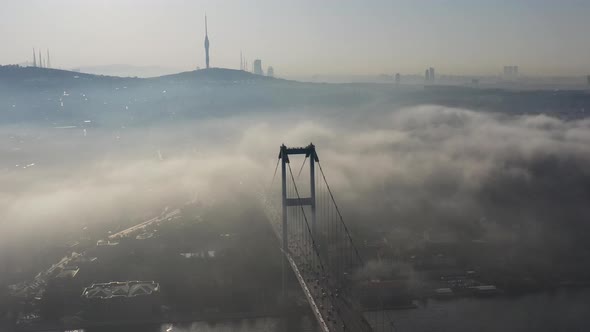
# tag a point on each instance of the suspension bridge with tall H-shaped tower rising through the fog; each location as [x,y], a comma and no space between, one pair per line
[316,243]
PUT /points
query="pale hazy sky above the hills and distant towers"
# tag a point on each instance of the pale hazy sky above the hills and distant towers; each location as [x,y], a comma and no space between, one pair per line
[305,37]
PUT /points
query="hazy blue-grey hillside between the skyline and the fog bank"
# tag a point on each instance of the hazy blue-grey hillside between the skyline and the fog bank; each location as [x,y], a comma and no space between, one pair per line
[66,98]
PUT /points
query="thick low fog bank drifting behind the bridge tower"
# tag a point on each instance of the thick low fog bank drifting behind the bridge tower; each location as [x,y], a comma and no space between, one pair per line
[411,170]
